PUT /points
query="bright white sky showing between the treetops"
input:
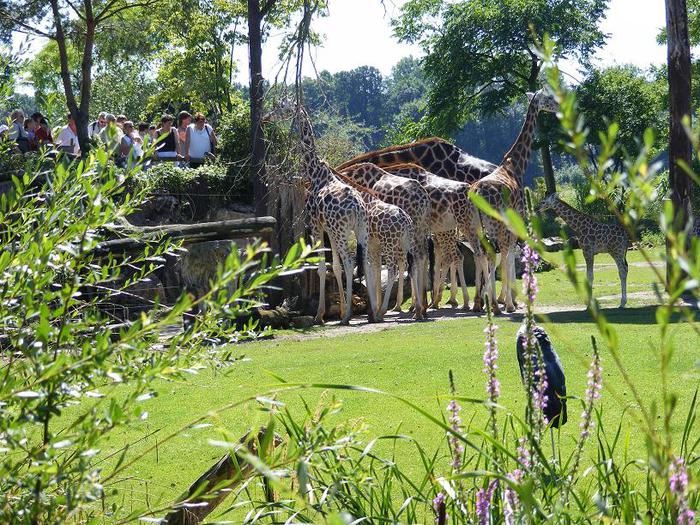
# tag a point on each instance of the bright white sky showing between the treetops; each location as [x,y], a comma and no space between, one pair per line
[358,32]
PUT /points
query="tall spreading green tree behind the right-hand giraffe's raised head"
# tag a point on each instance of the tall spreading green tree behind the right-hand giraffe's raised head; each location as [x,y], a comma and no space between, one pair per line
[481,56]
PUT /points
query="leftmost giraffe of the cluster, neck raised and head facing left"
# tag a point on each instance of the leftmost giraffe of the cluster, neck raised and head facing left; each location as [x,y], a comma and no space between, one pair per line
[336,208]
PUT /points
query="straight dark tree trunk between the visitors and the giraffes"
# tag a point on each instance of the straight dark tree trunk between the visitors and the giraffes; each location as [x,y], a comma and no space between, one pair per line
[257,164]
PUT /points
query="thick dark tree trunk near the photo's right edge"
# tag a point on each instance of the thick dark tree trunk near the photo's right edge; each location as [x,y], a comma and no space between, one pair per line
[679,146]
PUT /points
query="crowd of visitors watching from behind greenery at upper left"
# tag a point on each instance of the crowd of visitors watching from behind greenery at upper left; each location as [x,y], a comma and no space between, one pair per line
[190,143]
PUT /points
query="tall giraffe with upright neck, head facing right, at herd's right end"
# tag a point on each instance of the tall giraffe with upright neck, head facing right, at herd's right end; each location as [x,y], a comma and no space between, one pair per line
[504,188]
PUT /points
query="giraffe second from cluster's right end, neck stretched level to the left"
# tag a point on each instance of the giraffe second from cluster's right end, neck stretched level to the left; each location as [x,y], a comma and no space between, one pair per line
[452,212]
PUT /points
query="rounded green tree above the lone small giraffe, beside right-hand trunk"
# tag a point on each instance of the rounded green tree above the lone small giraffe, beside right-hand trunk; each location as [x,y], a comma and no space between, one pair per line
[624,94]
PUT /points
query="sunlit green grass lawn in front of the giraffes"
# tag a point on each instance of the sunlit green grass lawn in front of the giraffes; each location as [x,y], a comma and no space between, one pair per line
[412,361]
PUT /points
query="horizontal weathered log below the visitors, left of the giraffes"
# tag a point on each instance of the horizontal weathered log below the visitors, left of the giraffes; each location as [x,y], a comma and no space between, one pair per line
[142,236]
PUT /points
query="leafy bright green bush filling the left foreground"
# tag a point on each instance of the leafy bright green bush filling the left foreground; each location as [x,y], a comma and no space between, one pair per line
[59,347]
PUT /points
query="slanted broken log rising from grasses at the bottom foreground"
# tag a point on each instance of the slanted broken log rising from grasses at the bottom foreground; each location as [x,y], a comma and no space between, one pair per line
[212,487]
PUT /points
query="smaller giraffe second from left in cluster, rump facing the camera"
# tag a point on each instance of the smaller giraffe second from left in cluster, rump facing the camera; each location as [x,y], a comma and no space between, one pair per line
[392,238]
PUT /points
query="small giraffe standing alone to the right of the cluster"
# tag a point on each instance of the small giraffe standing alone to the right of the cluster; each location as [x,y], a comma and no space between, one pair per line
[593,237]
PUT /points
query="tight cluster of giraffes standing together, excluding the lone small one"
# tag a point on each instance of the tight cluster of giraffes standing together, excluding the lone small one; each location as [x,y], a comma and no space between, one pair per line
[391,201]
